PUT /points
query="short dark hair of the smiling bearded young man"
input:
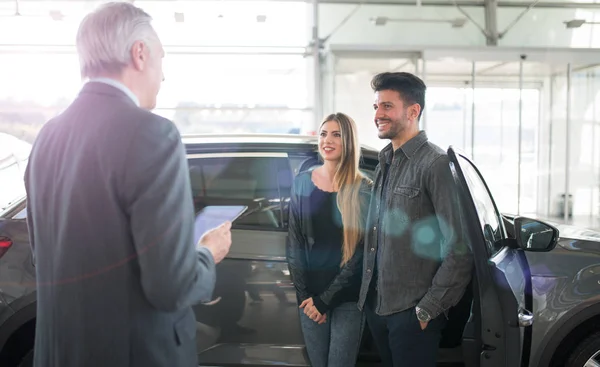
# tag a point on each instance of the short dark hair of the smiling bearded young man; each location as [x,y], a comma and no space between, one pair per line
[410,87]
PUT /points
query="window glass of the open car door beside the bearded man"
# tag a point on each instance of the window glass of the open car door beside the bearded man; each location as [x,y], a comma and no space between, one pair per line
[489,217]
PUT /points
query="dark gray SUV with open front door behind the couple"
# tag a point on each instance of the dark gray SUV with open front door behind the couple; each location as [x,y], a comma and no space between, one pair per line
[534,299]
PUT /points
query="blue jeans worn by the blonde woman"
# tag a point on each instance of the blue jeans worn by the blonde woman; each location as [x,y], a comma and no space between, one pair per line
[336,342]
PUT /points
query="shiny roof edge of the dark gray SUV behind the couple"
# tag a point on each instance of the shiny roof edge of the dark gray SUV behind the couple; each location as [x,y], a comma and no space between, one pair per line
[199,143]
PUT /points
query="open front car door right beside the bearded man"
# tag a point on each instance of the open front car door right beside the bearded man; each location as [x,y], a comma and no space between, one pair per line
[502,272]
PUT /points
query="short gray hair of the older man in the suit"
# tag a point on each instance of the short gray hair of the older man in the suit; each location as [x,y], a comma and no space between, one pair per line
[105,38]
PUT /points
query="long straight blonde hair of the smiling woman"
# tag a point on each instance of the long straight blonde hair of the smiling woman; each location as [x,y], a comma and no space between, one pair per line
[347,180]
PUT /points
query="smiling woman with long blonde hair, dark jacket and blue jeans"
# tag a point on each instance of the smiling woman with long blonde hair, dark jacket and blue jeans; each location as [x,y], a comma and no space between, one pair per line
[328,209]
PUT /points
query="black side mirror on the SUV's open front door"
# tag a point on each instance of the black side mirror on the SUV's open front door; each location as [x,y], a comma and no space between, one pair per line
[533,235]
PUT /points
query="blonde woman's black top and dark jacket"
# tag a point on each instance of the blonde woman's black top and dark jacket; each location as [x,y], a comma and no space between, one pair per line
[314,248]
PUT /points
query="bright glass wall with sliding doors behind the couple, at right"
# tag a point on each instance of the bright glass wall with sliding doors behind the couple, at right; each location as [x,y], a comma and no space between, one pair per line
[510,116]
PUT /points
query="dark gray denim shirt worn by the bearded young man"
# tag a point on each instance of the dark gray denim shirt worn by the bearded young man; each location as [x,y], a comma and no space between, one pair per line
[414,240]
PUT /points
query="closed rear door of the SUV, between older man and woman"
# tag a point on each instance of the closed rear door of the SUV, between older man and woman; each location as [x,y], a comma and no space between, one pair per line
[254,316]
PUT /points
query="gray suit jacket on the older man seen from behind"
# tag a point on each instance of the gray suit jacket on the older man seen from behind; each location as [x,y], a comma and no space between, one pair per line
[111,217]
